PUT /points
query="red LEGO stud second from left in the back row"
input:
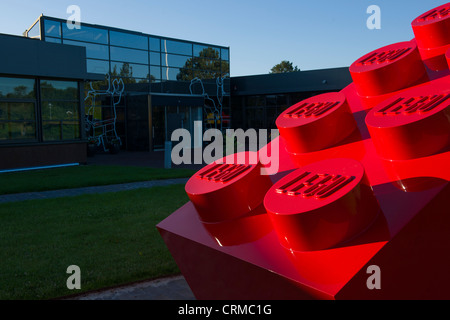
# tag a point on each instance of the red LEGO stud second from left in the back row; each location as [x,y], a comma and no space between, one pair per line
[316,123]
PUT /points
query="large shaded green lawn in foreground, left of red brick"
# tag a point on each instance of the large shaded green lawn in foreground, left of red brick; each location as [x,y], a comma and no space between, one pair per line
[112,238]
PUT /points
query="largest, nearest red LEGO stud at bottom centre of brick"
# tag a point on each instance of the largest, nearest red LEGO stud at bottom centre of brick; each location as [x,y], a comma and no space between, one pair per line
[321,205]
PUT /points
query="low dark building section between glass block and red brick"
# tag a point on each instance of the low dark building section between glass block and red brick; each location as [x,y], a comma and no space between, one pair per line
[258,100]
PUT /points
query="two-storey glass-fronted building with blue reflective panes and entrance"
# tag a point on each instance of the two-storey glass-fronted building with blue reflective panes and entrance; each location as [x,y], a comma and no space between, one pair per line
[169,83]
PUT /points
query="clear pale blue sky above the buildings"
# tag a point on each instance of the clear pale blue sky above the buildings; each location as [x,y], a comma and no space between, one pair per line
[260,33]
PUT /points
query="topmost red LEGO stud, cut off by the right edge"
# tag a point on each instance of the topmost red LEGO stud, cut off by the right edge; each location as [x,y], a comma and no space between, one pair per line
[431,30]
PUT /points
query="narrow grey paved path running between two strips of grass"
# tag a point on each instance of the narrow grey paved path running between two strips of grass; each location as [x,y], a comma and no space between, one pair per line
[88,190]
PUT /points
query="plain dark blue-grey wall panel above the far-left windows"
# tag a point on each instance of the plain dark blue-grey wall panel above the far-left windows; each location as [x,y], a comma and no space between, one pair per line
[31,57]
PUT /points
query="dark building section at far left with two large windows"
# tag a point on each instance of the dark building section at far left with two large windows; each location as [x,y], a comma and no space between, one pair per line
[41,103]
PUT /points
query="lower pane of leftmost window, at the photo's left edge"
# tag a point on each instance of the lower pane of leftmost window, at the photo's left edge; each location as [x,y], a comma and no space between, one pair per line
[17,121]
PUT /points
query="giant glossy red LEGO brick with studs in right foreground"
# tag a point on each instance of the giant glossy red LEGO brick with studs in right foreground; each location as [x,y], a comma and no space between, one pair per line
[378,196]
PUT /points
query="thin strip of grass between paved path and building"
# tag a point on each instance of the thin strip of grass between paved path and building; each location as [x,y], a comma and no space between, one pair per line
[83,176]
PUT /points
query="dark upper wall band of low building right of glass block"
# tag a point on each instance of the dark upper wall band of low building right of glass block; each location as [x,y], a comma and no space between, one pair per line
[304,81]
